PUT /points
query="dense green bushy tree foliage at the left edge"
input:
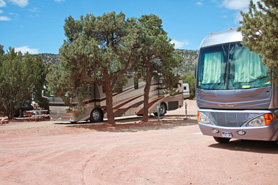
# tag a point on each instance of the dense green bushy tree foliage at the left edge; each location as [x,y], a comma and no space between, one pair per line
[19,80]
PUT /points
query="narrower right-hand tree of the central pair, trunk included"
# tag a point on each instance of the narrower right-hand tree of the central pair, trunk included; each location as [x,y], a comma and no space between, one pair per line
[157,55]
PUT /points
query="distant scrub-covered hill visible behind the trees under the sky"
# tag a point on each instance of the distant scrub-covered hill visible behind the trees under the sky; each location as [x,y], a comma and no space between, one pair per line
[190,58]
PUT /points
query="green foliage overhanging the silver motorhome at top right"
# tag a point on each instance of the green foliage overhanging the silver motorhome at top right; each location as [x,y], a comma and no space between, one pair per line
[260,31]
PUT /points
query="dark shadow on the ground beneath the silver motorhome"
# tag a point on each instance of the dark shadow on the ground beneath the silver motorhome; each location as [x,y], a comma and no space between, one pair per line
[268,147]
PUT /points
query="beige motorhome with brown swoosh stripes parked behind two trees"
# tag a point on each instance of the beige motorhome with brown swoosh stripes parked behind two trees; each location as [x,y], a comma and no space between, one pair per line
[125,103]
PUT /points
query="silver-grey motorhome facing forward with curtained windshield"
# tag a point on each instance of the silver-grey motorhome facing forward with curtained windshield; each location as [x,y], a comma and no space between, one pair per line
[234,94]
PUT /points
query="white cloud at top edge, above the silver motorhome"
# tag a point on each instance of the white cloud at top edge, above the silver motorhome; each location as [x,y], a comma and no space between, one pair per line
[237,4]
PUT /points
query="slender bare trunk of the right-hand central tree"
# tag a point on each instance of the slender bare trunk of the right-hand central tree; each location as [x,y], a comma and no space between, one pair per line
[146,94]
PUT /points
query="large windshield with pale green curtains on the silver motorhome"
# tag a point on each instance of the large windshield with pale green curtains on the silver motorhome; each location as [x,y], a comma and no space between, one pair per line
[230,66]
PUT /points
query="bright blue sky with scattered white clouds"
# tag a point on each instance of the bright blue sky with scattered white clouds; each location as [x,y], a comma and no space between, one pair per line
[36,26]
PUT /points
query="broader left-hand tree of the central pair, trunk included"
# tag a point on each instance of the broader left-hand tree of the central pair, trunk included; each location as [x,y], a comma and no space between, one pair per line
[97,50]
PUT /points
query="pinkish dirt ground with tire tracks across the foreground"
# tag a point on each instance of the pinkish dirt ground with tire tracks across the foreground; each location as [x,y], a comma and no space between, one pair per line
[170,152]
